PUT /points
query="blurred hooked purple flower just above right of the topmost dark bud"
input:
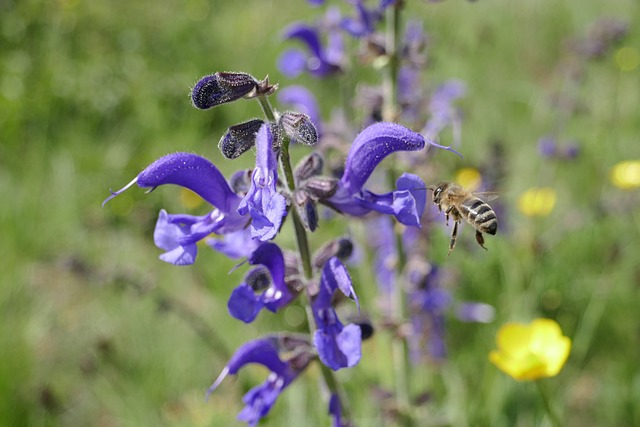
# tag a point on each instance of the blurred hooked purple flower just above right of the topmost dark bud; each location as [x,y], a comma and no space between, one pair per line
[321,61]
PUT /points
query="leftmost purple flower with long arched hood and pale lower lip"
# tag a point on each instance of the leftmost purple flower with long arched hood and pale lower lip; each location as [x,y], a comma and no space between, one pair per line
[178,234]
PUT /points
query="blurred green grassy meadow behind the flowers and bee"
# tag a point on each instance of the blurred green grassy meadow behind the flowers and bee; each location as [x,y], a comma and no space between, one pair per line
[95,330]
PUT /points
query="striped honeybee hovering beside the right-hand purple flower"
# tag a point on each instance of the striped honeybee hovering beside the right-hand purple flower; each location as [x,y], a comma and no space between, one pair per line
[462,204]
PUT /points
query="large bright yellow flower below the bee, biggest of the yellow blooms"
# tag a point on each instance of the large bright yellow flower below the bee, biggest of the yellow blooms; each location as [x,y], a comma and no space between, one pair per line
[531,351]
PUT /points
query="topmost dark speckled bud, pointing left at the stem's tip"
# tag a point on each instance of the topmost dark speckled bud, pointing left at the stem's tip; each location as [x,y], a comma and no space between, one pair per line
[219,88]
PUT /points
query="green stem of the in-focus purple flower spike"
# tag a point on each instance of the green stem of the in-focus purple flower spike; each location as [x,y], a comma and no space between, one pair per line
[305,255]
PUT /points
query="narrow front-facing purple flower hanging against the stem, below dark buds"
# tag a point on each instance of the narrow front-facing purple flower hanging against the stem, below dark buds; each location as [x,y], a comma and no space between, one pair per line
[266,206]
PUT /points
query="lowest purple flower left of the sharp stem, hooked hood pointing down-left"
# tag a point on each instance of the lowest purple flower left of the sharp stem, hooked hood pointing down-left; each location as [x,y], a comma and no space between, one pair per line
[266,352]
